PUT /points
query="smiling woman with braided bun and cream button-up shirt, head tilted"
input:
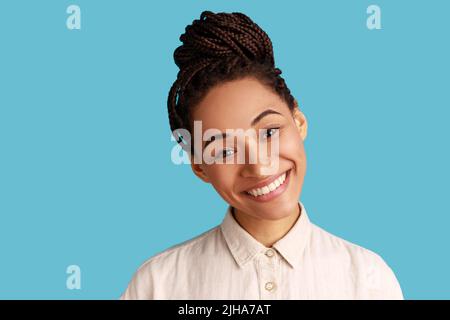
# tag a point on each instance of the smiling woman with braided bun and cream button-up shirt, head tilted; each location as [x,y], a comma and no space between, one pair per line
[266,247]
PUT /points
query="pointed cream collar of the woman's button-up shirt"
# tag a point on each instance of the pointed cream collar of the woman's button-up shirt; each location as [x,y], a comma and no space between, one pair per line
[244,247]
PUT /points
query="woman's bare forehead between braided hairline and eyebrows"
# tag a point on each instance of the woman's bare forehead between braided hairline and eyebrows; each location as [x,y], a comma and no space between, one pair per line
[235,103]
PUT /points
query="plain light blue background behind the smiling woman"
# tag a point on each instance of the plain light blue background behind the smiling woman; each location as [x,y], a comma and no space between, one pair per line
[85,171]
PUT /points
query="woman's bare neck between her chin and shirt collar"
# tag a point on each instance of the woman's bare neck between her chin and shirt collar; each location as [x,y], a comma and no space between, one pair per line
[267,232]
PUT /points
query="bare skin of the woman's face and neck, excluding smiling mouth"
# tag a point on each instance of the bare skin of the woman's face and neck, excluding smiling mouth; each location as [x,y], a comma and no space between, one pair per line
[233,105]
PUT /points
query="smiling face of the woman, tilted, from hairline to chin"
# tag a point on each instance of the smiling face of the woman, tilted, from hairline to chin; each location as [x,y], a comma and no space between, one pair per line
[234,105]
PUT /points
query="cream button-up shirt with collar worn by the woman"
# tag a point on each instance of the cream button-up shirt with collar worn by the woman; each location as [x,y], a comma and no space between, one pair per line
[226,262]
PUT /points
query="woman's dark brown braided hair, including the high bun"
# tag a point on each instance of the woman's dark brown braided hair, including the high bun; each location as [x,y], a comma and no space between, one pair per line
[217,48]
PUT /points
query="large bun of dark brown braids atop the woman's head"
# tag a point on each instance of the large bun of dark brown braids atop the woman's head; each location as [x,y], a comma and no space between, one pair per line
[217,36]
